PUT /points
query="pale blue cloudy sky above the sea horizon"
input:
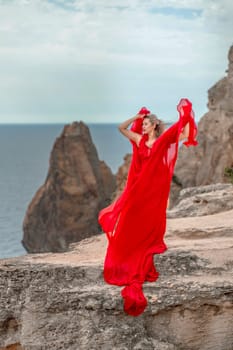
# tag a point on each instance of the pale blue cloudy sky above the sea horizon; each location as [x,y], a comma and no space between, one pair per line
[102,60]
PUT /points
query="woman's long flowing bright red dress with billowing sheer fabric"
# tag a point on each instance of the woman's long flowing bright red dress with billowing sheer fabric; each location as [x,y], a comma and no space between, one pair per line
[135,223]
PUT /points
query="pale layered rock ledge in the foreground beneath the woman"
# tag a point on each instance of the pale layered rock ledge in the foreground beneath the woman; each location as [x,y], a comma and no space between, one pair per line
[59,301]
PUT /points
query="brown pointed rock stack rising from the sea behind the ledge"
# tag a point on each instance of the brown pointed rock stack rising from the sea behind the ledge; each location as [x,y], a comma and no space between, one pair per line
[77,186]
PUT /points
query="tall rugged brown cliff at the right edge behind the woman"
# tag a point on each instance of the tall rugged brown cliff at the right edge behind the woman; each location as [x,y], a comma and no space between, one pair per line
[205,164]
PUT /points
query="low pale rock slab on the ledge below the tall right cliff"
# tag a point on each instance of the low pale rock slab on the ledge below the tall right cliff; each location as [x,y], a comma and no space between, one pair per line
[203,200]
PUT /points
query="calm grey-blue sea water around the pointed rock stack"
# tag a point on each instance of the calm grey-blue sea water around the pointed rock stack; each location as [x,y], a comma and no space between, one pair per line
[24,159]
